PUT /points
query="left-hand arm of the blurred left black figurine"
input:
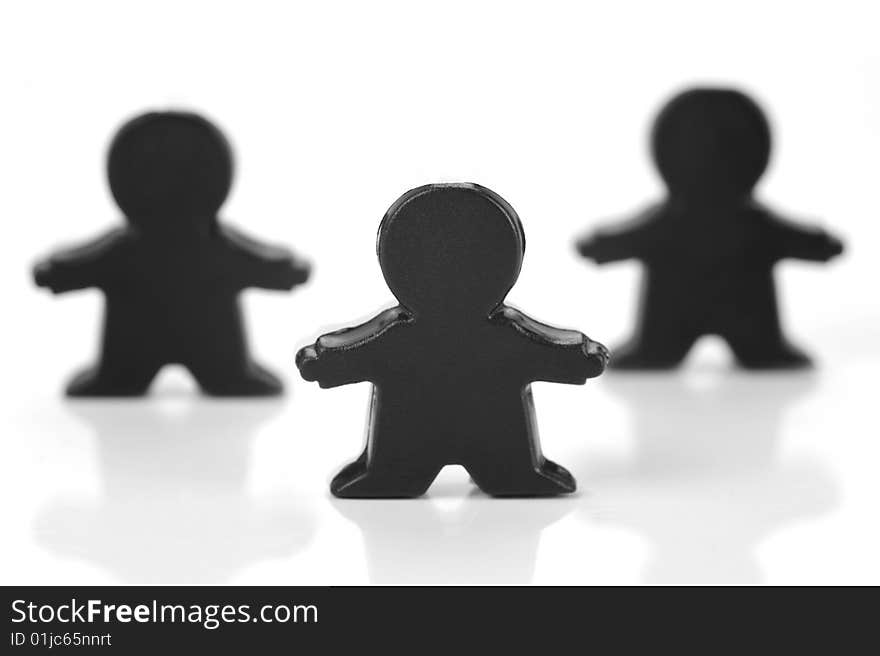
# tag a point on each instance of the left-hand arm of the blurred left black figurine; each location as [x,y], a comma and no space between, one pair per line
[79,267]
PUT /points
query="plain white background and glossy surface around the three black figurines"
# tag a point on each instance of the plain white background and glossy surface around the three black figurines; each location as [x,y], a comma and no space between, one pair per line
[335,109]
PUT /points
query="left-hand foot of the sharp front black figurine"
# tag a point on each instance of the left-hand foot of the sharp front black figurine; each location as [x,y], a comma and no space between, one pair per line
[358,481]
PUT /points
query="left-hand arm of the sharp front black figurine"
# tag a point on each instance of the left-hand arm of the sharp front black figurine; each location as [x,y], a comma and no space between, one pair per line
[351,355]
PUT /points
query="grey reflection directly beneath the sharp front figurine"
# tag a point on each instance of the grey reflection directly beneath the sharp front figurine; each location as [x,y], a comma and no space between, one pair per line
[468,538]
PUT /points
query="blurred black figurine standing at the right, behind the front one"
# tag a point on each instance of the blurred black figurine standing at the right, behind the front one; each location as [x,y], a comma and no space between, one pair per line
[709,249]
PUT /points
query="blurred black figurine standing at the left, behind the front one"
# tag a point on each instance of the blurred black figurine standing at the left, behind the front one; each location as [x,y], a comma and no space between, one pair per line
[172,276]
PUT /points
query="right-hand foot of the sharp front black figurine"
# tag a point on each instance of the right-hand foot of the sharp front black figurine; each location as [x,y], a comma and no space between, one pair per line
[507,479]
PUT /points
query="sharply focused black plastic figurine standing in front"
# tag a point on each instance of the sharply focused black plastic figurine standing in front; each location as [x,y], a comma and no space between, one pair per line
[451,366]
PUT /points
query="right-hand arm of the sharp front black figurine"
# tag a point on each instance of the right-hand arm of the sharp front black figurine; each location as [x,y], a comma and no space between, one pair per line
[563,356]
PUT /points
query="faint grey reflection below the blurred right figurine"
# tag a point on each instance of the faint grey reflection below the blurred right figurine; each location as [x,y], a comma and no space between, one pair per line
[707,483]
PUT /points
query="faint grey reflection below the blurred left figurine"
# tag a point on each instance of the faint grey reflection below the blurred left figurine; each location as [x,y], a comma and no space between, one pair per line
[173,505]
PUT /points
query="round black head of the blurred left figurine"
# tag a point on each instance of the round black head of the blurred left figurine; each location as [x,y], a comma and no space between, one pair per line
[167,168]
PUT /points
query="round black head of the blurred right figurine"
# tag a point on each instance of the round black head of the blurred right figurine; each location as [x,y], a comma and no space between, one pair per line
[711,144]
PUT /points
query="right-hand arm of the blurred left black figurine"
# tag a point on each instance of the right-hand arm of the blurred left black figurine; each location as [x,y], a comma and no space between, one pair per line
[265,266]
